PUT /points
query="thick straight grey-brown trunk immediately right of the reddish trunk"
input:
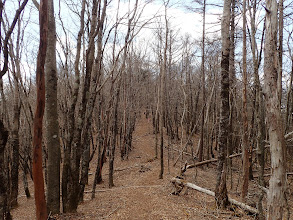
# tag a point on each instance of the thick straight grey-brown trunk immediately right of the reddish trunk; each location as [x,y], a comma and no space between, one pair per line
[52,125]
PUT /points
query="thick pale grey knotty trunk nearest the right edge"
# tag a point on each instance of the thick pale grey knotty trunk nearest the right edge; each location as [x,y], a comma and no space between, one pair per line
[276,201]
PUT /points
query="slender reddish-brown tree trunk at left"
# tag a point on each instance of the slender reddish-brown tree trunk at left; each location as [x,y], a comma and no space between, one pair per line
[40,201]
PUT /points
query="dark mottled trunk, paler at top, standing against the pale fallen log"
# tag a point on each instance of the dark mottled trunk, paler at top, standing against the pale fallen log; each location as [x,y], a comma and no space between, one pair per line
[221,188]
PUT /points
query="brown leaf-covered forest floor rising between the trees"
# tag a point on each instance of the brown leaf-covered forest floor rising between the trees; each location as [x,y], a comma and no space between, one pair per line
[140,194]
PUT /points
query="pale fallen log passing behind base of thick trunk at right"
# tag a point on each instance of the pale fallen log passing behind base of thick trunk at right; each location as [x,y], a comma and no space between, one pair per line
[211,193]
